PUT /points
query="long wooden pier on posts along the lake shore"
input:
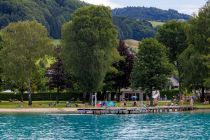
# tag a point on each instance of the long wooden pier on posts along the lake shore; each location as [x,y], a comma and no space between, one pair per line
[136,110]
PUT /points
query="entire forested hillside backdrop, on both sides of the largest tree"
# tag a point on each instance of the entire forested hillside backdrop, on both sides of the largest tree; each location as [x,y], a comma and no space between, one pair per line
[53,13]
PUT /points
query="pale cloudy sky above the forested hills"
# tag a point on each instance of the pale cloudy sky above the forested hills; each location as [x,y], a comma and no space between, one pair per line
[183,6]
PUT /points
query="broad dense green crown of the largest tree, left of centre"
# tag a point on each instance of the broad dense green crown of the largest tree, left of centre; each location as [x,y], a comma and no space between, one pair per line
[88,41]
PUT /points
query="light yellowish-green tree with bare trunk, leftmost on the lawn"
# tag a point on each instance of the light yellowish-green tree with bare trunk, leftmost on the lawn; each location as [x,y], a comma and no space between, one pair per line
[24,43]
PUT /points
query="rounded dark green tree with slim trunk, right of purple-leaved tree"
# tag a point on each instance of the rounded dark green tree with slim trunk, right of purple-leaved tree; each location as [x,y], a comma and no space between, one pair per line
[151,67]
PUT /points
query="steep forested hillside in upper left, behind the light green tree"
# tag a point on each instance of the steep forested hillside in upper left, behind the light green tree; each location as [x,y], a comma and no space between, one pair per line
[51,13]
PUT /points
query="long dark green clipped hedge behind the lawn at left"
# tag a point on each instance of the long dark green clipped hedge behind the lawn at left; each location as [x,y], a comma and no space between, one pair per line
[40,96]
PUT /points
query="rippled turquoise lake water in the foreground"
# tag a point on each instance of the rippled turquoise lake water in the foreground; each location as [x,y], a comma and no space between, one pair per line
[147,126]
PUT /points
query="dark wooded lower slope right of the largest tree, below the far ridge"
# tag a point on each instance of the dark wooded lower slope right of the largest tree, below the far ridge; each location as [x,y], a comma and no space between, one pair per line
[133,29]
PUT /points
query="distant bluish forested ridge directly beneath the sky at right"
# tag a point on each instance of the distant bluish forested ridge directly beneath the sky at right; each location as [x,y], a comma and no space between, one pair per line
[154,14]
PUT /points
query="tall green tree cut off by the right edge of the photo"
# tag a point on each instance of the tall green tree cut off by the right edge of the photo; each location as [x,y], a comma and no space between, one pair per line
[194,60]
